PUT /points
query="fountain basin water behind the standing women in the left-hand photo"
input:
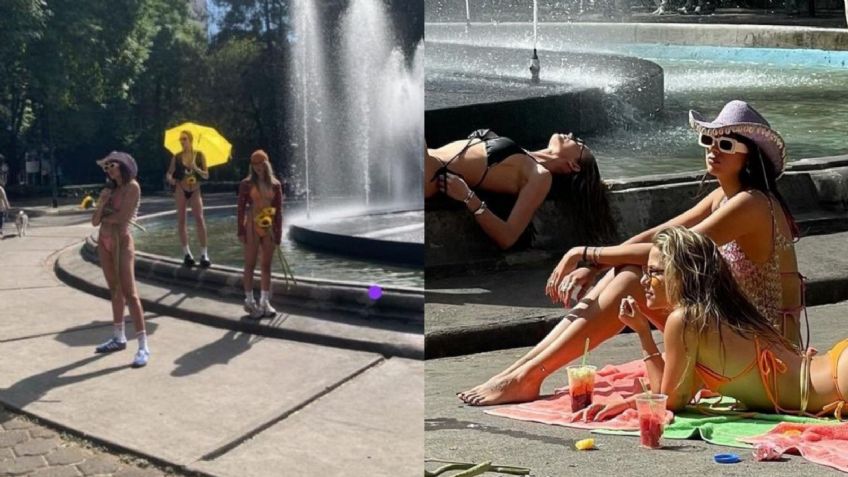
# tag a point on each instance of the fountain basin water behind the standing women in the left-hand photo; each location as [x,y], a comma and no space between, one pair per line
[224,247]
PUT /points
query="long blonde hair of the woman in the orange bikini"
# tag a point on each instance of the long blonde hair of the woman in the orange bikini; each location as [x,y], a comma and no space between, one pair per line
[699,281]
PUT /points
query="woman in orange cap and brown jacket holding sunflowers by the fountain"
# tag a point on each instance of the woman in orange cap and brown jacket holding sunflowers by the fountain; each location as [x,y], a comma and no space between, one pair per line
[260,229]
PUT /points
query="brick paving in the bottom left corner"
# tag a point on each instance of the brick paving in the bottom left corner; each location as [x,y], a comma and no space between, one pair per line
[30,449]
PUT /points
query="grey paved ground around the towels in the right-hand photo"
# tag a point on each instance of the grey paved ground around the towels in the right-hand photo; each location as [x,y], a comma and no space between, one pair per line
[461,433]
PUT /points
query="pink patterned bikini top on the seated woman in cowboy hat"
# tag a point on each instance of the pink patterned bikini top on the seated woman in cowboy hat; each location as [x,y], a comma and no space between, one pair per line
[761,282]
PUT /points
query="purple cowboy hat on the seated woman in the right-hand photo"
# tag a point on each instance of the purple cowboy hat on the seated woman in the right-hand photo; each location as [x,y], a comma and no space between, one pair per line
[740,118]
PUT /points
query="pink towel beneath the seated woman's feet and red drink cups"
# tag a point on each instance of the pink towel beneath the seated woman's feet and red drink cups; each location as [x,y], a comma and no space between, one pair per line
[612,383]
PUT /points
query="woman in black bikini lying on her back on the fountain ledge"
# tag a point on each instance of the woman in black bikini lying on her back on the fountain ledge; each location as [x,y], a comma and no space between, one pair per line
[486,161]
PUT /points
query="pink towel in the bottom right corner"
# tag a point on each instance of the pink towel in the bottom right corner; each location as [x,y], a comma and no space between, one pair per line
[822,444]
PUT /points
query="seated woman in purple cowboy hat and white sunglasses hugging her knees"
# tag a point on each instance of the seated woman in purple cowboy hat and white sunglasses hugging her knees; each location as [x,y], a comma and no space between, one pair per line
[745,215]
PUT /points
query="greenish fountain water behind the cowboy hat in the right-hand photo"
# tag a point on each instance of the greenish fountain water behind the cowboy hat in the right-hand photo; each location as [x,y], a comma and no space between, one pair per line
[805,103]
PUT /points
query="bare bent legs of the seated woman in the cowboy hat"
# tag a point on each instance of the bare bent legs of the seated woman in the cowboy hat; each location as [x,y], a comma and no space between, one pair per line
[598,321]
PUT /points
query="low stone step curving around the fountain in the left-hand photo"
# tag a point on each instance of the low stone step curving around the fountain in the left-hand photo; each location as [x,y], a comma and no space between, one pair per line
[221,308]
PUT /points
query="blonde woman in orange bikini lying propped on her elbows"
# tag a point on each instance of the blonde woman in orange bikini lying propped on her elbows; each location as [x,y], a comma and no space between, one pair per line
[715,338]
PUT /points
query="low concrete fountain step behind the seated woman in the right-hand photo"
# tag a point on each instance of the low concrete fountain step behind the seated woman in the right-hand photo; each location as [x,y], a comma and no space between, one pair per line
[487,311]
